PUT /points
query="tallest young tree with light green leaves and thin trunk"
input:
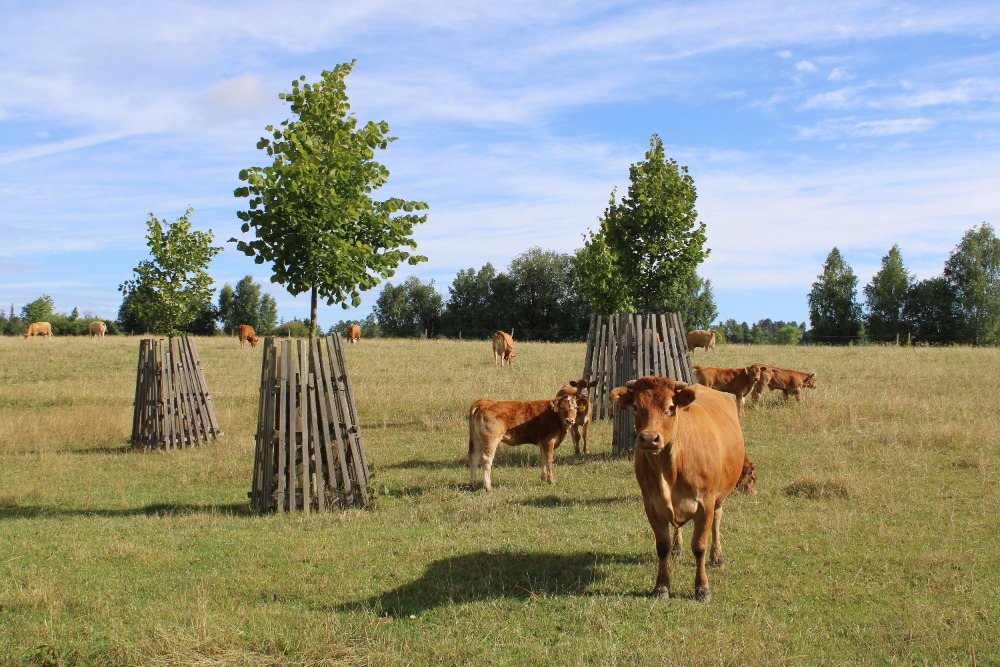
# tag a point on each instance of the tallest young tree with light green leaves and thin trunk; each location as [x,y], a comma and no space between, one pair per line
[310,210]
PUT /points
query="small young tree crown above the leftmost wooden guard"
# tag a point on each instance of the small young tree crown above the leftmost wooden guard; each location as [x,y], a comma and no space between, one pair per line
[168,292]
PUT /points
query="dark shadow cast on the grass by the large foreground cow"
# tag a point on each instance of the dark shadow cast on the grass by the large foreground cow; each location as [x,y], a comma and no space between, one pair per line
[483,576]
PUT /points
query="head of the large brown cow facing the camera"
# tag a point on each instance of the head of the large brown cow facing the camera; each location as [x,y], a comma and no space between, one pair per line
[656,401]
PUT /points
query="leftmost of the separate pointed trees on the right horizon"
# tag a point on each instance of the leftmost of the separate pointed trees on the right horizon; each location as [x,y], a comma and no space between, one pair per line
[834,313]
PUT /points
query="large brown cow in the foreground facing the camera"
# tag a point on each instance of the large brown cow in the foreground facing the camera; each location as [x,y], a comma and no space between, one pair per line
[689,457]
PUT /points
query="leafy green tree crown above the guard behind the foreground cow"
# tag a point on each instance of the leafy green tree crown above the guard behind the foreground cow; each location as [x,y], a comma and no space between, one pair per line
[648,244]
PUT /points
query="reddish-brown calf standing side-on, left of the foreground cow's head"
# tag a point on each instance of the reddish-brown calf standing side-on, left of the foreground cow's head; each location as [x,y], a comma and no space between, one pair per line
[542,423]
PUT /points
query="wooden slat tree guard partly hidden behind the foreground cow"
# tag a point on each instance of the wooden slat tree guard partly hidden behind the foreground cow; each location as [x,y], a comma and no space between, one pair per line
[627,346]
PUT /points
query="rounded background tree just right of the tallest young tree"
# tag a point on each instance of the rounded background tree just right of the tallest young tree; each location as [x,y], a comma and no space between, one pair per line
[408,310]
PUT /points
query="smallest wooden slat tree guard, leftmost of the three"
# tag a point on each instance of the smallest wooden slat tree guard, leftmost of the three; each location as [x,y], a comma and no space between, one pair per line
[172,408]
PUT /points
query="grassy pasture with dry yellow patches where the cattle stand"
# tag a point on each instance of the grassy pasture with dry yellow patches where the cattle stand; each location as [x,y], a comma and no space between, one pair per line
[872,540]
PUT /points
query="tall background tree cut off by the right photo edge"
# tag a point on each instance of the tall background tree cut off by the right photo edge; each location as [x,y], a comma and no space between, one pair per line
[973,270]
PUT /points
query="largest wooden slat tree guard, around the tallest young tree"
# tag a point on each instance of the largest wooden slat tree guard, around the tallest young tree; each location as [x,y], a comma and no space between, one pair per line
[309,452]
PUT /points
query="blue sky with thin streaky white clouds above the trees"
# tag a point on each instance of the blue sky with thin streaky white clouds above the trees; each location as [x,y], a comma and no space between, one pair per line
[805,126]
